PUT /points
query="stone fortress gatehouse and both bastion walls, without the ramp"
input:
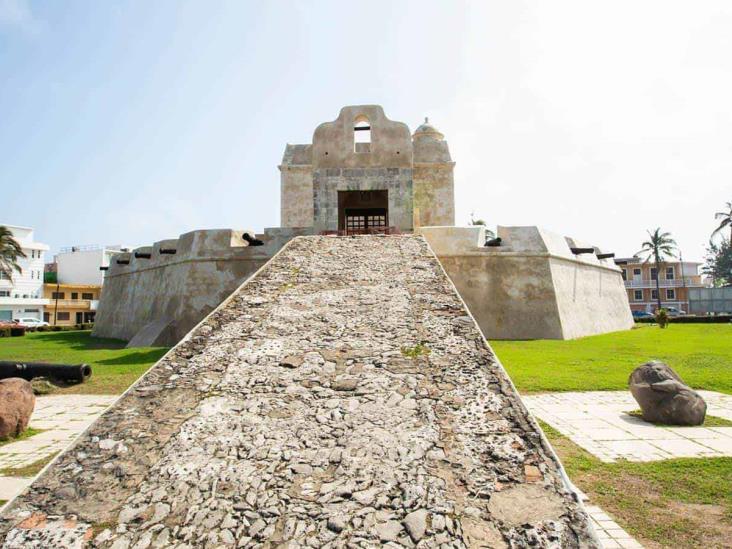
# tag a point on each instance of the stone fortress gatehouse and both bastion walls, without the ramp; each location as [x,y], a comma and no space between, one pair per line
[365,174]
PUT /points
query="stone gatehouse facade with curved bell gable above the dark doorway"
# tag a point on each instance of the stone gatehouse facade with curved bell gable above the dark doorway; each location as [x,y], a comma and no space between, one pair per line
[415,170]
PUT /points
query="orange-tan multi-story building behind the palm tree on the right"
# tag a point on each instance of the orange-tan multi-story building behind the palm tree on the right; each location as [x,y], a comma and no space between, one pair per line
[676,277]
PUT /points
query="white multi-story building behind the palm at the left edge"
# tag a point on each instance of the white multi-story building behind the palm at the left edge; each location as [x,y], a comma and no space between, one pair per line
[21,295]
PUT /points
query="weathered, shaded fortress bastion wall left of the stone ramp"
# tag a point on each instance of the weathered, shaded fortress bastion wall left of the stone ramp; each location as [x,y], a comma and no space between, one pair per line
[168,294]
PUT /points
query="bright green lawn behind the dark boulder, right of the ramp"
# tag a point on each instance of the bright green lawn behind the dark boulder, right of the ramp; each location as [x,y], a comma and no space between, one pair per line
[700,353]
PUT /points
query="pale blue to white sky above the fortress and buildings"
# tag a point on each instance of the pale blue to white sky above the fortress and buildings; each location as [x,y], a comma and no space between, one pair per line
[130,122]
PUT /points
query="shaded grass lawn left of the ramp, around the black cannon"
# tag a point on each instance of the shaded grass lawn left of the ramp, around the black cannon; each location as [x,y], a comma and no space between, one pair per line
[114,368]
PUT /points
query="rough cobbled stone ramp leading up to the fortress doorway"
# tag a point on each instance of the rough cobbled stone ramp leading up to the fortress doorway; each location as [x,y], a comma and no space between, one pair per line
[342,398]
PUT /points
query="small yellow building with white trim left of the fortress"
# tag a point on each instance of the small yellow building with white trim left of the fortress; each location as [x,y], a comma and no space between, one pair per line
[70,304]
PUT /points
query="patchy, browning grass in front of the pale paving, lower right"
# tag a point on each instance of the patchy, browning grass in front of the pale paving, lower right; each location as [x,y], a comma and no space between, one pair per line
[671,503]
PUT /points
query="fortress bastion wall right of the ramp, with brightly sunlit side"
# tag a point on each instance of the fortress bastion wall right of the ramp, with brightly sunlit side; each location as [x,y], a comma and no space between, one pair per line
[533,286]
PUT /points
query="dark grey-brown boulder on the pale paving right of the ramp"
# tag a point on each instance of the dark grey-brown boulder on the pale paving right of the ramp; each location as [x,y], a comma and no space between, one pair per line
[664,398]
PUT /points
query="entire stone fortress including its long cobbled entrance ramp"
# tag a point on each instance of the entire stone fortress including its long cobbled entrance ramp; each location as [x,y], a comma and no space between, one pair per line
[331,391]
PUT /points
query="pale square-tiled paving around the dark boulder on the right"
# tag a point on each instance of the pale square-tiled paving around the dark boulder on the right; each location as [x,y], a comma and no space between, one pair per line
[598,422]
